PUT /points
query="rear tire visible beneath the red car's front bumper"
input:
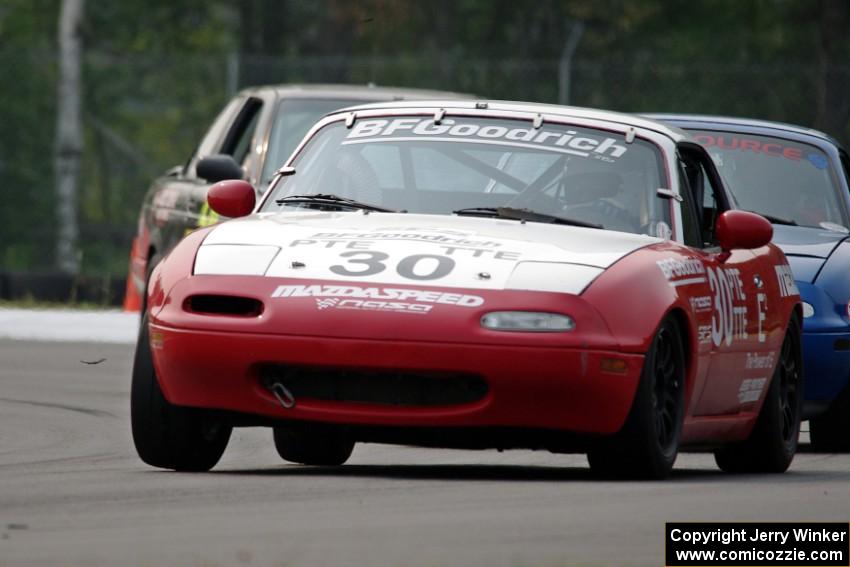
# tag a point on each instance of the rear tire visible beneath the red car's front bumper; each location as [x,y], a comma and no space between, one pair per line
[313,444]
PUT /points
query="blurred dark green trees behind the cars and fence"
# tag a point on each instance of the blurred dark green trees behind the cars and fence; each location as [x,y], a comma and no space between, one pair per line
[154,73]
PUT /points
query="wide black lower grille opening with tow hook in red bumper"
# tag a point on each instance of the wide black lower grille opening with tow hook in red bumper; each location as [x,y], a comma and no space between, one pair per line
[382,387]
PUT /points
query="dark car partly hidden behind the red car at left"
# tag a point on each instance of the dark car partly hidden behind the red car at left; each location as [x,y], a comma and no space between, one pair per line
[251,137]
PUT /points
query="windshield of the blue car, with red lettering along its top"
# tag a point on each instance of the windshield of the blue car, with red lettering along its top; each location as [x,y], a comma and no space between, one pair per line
[778,178]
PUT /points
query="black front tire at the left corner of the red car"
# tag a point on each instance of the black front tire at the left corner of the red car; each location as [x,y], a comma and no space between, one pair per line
[165,435]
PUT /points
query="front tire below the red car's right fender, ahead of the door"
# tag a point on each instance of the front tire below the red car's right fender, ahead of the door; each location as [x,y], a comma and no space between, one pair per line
[648,443]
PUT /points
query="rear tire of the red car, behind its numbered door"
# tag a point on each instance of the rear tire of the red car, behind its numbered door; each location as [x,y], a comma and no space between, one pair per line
[771,446]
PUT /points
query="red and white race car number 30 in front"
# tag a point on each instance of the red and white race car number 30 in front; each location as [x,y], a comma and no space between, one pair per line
[474,275]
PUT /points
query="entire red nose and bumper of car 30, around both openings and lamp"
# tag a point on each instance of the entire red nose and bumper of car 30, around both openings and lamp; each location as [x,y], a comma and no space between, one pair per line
[561,381]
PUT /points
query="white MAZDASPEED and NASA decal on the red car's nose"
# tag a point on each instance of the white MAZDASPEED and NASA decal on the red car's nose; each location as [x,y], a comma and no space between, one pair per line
[397,300]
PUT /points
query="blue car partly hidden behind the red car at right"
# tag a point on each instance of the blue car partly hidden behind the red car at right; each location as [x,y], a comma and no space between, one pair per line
[799,179]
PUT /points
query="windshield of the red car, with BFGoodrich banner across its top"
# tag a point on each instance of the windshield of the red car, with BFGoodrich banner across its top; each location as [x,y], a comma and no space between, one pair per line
[417,165]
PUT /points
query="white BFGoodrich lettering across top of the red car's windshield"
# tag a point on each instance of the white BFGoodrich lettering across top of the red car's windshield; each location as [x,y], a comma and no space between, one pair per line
[569,142]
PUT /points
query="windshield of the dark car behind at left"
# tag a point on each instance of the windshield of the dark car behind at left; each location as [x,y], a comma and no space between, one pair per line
[293,119]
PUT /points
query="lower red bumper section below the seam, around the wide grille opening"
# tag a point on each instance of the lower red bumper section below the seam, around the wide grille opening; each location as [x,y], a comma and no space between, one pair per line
[553,388]
